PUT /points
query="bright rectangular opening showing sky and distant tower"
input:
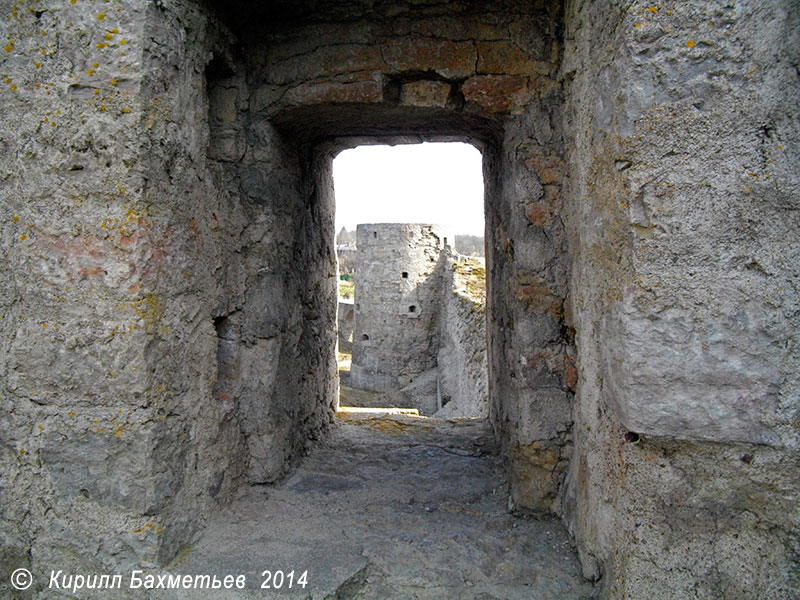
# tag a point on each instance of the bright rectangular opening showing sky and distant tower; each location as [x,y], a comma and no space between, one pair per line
[412,280]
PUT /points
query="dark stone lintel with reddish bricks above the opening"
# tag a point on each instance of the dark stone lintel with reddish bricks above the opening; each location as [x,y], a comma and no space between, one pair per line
[442,68]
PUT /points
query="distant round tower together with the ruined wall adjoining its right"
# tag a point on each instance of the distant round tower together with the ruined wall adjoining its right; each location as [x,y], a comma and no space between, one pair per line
[415,328]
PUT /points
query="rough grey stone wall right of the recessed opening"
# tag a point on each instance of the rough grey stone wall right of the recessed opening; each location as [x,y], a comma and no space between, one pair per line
[682,129]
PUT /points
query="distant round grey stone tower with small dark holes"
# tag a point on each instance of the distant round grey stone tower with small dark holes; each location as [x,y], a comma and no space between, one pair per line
[396,299]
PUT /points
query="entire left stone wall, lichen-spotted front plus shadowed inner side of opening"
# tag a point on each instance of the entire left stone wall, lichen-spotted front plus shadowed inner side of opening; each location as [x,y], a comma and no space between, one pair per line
[157,346]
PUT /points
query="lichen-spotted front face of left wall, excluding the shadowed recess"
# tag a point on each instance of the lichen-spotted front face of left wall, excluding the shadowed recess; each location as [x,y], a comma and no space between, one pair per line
[94,271]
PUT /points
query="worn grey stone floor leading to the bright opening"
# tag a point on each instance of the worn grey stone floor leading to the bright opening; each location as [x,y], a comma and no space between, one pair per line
[391,507]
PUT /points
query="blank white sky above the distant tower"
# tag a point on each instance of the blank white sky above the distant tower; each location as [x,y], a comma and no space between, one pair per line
[411,183]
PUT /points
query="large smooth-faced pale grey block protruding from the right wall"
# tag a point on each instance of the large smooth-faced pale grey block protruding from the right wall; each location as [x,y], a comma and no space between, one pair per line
[668,375]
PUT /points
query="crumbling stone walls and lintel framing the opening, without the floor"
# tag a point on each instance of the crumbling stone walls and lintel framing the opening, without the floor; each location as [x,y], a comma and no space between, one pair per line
[168,281]
